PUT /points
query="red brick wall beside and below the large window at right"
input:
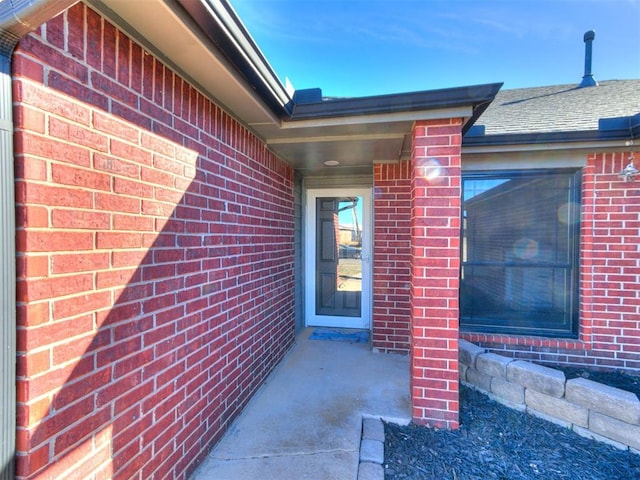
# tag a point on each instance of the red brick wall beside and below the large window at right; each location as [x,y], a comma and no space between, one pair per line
[609,278]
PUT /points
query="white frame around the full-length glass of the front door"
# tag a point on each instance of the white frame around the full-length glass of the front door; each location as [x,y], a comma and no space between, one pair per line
[310,318]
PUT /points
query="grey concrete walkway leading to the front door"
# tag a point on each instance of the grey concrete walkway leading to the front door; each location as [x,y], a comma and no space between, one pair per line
[306,421]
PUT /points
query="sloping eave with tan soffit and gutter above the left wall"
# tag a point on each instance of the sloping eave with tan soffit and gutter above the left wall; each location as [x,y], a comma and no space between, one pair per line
[204,41]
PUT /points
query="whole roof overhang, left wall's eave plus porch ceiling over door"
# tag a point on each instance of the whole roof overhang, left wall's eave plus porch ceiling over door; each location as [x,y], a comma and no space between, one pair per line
[205,41]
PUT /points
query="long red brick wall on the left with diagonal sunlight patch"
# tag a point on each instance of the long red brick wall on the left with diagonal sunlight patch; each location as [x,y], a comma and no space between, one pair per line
[155,259]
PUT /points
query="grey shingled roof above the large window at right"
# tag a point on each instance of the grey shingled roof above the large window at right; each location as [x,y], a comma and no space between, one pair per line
[613,105]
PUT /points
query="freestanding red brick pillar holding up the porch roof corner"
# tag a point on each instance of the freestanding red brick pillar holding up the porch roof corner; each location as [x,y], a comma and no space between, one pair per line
[435,270]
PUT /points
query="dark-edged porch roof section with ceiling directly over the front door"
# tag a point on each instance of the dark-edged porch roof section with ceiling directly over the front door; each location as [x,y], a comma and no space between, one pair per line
[359,132]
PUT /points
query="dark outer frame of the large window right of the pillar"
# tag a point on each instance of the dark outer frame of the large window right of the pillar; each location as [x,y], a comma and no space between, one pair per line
[490,325]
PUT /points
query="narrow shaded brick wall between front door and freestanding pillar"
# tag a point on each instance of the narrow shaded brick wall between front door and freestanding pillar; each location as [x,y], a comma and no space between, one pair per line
[392,256]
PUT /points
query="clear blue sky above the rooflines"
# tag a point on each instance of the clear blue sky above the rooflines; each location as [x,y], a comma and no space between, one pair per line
[359,48]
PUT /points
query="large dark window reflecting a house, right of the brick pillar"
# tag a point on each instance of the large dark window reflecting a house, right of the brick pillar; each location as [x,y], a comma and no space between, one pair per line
[520,240]
